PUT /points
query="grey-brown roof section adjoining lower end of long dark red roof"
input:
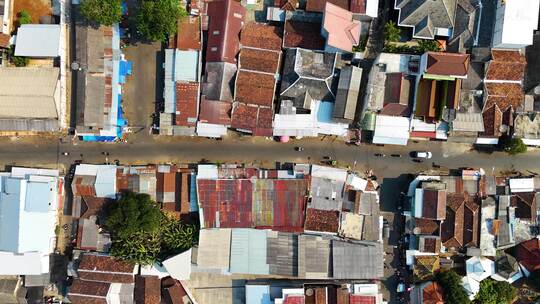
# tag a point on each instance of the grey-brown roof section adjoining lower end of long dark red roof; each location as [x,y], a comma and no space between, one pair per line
[219,81]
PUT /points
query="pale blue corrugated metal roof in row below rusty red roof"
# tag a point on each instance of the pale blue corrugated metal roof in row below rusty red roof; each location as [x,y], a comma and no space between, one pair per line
[248,251]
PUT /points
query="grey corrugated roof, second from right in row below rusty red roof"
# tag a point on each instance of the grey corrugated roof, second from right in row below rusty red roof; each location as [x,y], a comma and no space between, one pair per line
[313,257]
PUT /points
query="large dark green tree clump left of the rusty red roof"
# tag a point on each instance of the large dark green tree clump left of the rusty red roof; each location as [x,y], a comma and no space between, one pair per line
[141,233]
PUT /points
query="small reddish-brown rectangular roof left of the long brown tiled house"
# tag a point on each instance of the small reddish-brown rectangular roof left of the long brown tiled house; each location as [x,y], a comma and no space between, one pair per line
[450,64]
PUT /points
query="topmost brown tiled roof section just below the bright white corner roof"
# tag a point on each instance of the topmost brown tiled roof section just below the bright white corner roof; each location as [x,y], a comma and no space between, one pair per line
[506,65]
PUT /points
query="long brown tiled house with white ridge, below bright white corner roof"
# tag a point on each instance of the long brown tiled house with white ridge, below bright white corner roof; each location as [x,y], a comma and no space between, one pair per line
[503,93]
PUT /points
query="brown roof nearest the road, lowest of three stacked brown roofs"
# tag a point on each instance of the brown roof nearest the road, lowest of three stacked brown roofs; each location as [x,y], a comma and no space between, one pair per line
[255,119]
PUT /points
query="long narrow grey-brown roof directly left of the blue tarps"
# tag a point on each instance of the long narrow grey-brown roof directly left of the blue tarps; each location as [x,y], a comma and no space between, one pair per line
[90,53]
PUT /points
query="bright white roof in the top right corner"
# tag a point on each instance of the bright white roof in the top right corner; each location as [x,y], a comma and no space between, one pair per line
[515,22]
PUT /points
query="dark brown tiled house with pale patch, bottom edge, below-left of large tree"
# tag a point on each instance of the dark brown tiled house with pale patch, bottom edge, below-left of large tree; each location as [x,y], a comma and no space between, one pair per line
[101,279]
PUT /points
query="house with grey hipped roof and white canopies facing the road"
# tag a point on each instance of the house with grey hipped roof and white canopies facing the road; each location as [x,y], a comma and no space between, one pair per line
[307,95]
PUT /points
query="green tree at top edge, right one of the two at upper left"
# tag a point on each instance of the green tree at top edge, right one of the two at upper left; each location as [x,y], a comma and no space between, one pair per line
[156,19]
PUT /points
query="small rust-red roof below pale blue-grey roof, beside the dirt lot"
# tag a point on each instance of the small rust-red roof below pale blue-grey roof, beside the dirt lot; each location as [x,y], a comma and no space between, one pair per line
[187,96]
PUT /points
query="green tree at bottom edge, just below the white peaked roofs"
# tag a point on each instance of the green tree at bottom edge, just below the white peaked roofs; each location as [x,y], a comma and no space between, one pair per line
[494,292]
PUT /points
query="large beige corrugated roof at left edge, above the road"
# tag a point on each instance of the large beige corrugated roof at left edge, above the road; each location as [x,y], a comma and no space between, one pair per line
[28,92]
